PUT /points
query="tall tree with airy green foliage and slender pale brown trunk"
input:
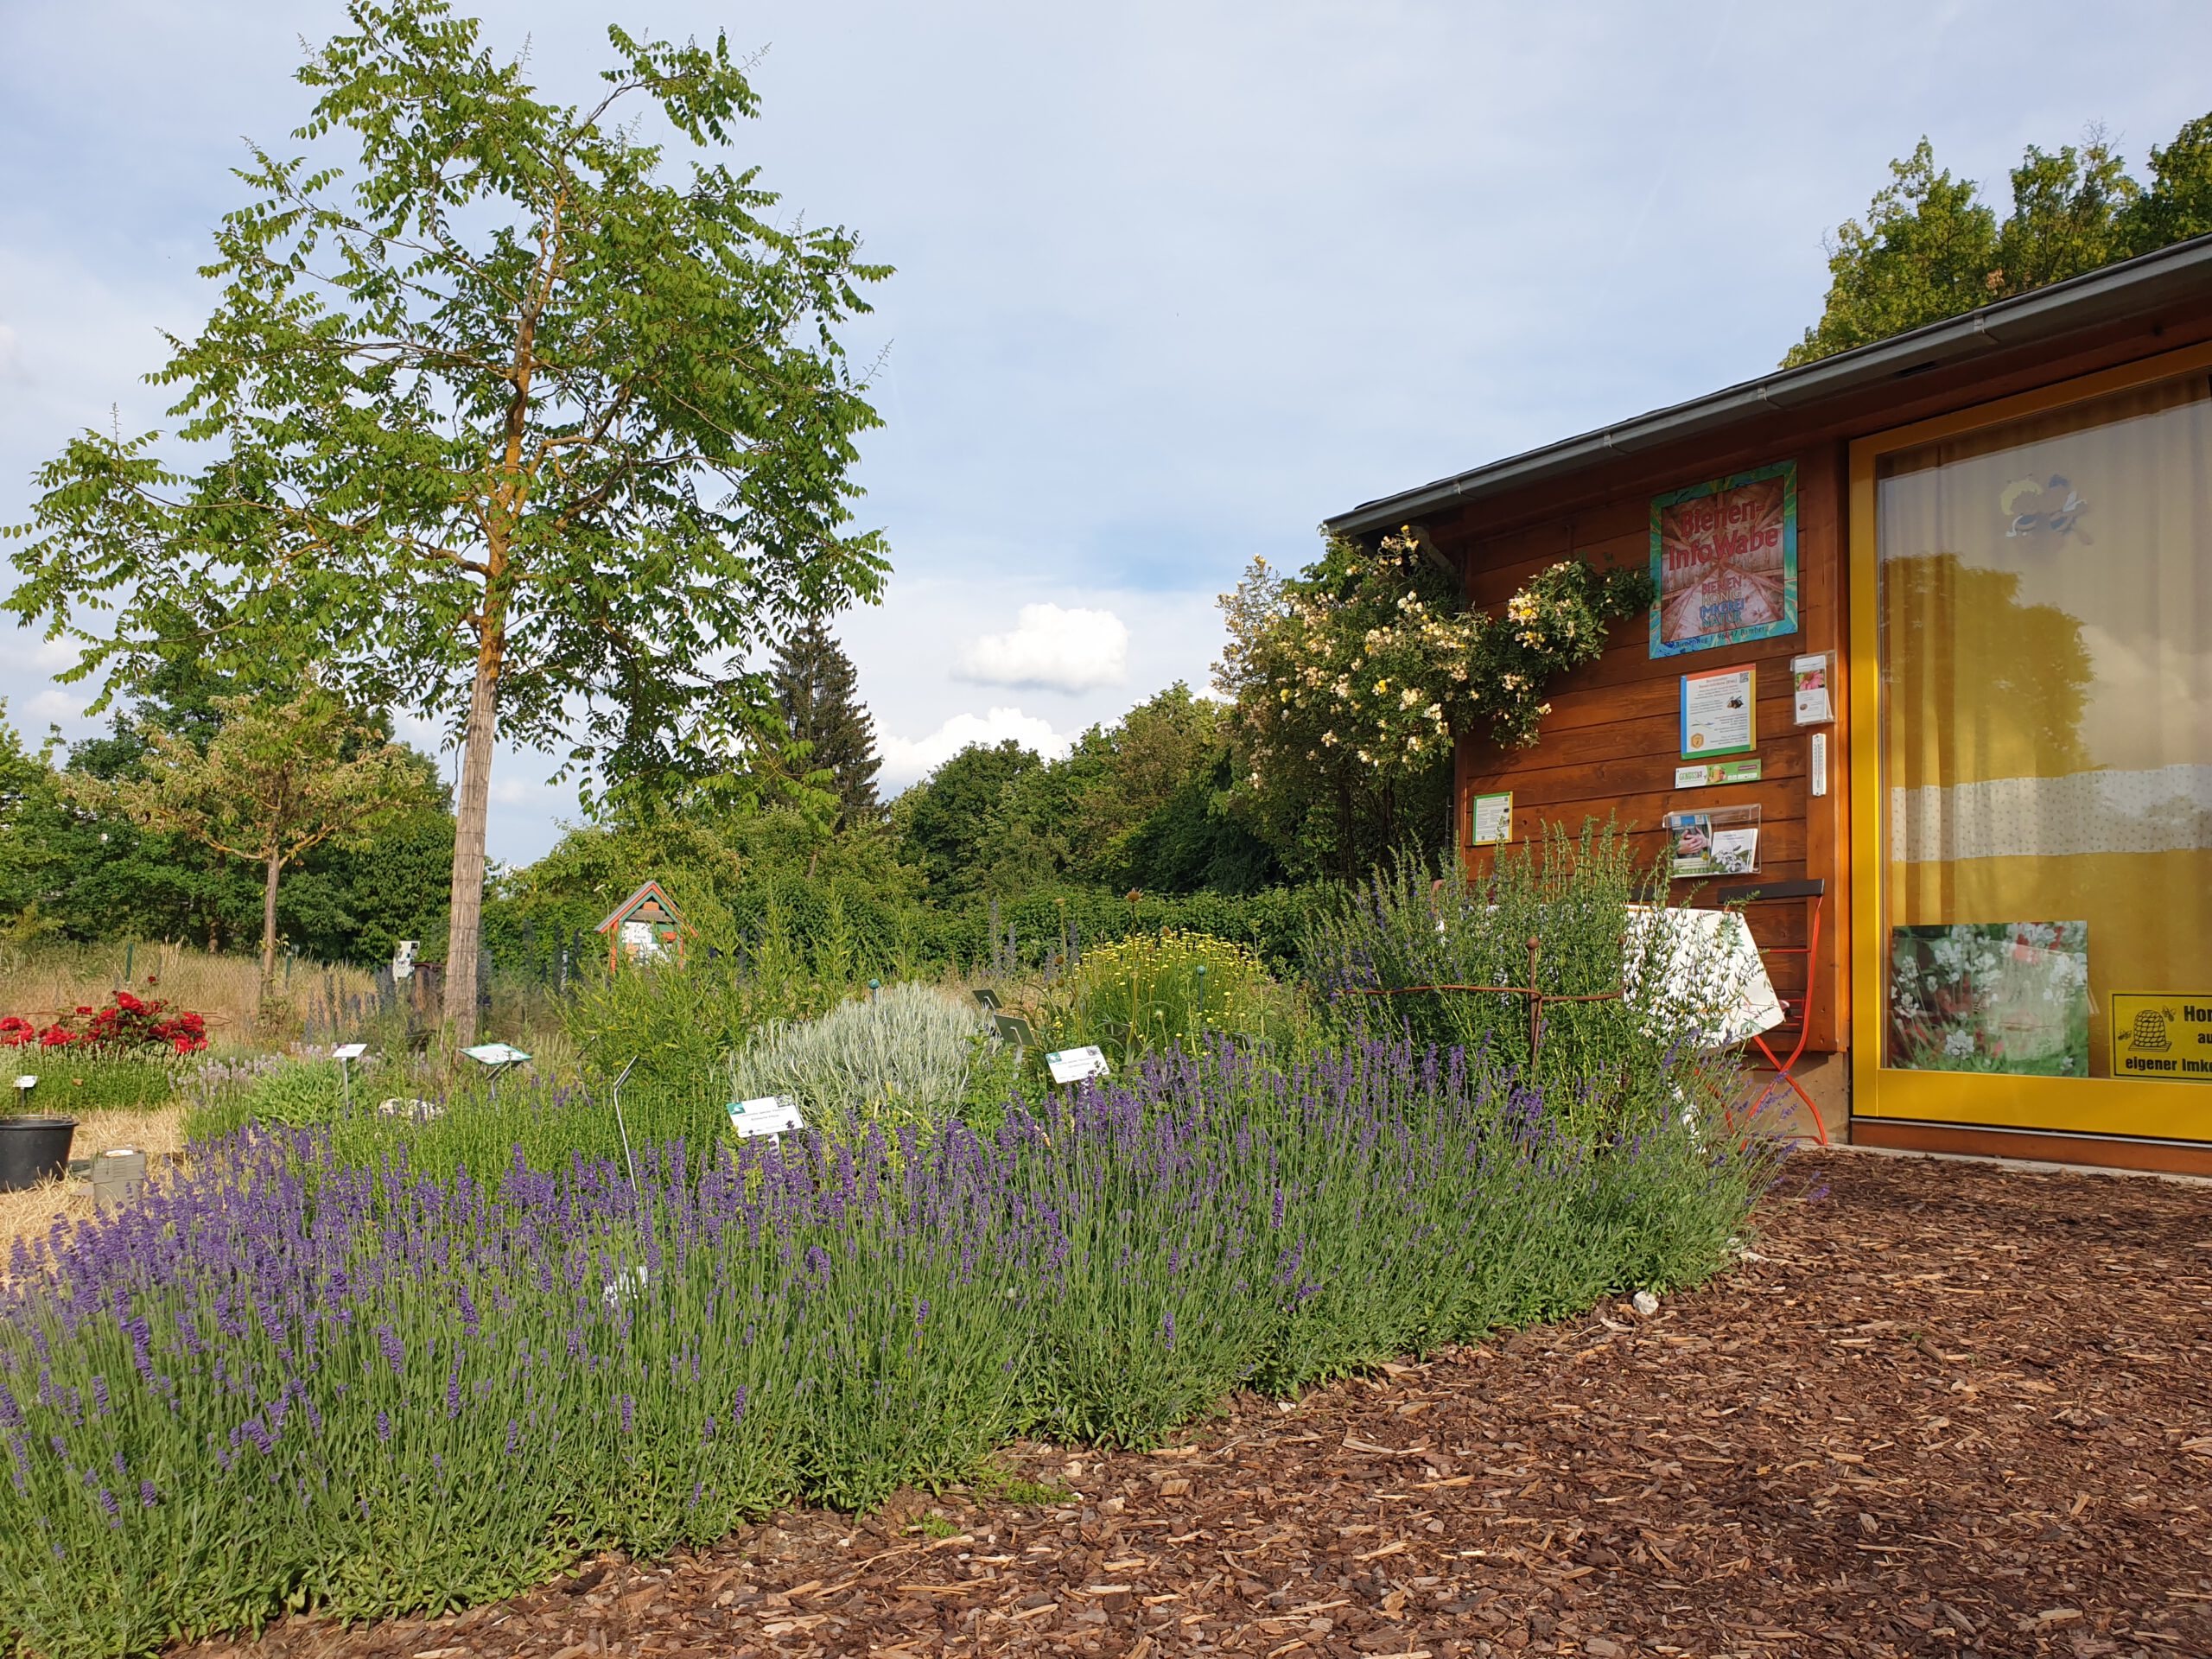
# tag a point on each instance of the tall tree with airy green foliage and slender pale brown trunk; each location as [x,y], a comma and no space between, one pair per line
[505,426]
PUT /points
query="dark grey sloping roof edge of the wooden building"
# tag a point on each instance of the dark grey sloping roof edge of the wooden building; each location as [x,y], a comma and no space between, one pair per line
[2080,302]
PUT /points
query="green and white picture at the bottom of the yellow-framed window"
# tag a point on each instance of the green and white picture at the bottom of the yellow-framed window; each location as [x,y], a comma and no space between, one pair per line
[1990,997]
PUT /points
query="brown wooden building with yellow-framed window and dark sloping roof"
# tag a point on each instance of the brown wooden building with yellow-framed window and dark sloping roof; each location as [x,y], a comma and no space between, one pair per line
[1999,536]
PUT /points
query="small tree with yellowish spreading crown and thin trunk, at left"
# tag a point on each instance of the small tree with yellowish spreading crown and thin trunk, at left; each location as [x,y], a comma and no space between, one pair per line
[275,782]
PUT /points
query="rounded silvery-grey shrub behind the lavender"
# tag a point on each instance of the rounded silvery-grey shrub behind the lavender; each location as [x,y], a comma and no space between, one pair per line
[906,1054]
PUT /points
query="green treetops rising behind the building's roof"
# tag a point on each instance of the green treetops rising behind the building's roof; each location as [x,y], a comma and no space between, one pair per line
[1932,249]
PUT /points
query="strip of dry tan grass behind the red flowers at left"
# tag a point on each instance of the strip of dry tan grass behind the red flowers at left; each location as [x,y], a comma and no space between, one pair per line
[45,981]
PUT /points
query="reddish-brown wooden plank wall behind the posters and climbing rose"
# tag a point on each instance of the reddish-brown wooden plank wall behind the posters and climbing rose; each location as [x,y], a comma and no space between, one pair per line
[1614,735]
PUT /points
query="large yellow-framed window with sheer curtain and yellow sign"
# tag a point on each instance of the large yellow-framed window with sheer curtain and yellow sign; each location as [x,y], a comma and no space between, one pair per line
[2045,806]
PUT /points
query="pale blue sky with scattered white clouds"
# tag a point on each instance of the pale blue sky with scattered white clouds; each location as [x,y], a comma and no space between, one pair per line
[1173,282]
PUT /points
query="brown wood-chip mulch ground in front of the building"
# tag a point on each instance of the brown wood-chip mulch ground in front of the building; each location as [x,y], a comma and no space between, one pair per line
[1939,1408]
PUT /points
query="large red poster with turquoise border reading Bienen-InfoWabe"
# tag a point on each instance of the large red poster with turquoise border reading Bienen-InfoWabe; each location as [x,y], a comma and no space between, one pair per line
[1724,561]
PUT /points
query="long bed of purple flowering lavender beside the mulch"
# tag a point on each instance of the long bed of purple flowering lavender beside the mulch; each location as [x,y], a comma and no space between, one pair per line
[298,1379]
